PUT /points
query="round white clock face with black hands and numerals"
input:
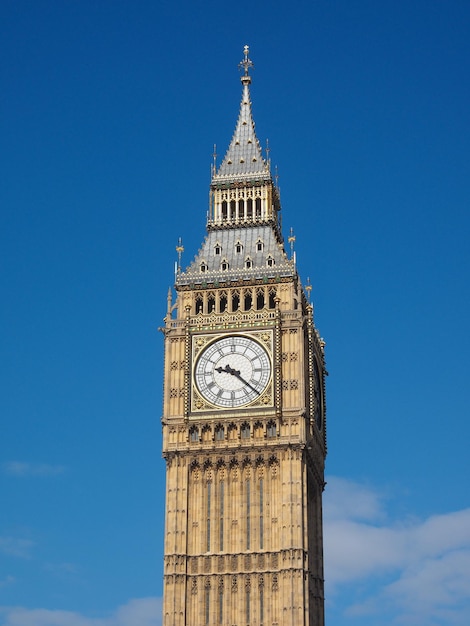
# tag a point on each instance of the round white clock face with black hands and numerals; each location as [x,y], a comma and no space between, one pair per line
[233,371]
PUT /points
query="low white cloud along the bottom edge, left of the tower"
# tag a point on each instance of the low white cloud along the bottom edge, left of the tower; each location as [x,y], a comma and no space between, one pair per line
[142,611]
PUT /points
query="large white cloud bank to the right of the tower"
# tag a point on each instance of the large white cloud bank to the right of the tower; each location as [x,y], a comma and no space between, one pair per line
[418,571]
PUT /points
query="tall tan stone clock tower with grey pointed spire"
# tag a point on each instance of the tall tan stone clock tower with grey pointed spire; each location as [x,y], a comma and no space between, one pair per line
[244,413]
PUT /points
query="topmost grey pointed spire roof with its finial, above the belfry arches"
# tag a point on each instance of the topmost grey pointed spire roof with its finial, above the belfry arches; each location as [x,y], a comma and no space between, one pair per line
[243,158]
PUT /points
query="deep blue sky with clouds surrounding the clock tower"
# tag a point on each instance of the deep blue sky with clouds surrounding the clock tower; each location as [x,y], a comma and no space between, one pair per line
[108,116]
